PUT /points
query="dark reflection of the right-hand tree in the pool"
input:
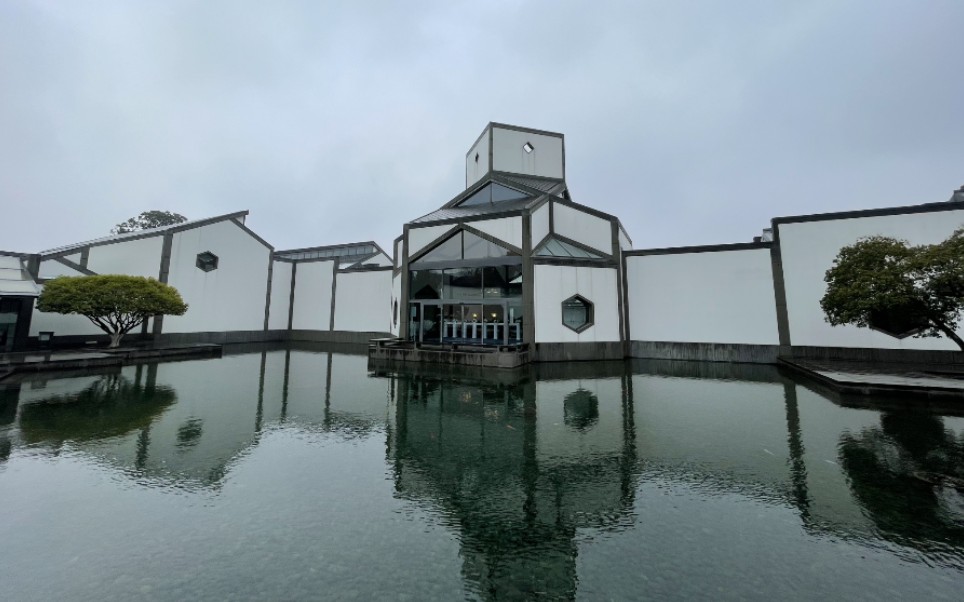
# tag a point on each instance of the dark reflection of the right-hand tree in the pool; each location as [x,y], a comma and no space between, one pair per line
[888,469]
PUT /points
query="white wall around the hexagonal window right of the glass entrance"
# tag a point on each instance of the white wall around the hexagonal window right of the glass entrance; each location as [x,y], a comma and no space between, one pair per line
[554,284]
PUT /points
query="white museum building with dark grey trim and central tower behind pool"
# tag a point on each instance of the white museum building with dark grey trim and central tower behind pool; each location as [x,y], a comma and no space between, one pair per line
[512,262]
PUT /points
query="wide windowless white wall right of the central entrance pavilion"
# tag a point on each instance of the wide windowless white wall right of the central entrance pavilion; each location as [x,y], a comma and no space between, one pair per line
[714,297]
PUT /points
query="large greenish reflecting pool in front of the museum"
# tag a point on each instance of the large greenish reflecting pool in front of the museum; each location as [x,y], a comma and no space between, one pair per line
[290,474]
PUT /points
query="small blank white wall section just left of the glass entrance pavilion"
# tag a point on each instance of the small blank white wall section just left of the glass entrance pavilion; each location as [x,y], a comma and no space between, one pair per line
[363,301]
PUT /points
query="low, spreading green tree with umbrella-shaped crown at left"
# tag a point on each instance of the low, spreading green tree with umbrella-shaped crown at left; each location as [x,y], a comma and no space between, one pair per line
[114,303]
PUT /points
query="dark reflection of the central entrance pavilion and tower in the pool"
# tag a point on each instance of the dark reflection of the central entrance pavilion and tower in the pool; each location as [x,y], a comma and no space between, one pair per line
[517,464]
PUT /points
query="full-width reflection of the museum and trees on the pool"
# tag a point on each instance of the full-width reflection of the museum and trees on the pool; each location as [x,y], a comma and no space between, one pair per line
[525,465]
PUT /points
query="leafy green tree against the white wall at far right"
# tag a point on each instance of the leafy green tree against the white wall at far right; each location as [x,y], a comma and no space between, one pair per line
[881,280]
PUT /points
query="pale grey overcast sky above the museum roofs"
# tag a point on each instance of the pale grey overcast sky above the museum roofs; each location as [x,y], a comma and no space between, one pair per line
[693,122]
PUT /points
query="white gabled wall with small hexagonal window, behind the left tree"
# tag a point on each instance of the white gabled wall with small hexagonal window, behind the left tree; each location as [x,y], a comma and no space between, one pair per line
[232,297]
